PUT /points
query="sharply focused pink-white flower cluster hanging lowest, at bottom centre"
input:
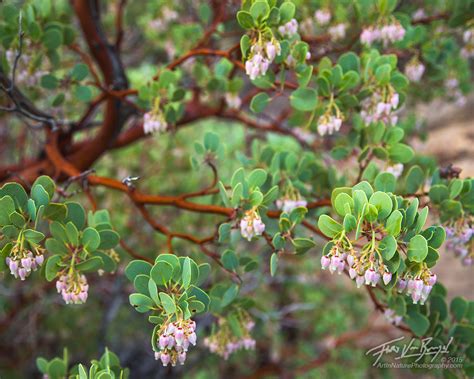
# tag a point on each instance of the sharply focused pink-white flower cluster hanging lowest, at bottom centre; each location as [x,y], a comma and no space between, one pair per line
[173,340]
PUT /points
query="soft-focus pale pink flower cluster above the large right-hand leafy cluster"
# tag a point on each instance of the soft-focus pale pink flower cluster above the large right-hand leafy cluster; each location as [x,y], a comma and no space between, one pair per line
[380,107]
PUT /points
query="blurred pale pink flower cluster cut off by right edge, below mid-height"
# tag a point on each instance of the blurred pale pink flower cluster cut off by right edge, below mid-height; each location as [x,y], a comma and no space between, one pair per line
[459,239]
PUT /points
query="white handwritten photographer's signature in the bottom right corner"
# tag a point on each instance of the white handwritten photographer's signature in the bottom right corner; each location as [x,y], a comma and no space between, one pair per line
[410,349]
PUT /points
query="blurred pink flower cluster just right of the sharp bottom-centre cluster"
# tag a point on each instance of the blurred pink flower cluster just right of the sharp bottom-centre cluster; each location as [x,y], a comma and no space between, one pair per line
[224,342]
